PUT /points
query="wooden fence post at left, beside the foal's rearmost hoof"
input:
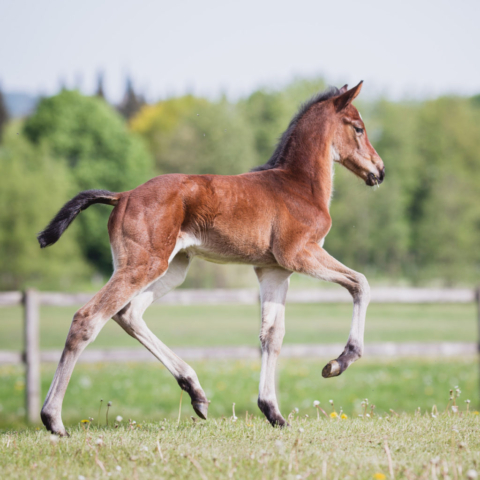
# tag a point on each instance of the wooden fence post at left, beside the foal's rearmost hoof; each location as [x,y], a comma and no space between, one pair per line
[32,356]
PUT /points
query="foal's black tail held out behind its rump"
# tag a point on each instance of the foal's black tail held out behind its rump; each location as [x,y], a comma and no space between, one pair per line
[69,212]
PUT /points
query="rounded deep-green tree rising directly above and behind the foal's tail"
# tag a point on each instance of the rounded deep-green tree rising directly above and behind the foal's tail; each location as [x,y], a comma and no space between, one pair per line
[96,145]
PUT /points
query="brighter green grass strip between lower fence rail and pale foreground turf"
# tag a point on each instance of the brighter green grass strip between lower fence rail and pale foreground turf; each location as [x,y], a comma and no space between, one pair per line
[147,392]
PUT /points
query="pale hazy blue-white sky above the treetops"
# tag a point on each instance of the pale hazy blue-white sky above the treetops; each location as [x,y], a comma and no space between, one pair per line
[415,49]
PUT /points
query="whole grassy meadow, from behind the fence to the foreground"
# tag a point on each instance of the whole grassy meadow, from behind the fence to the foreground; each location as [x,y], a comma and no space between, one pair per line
[409,410]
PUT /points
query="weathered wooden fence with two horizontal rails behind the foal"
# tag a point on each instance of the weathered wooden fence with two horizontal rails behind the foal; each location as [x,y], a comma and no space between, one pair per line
[32,356]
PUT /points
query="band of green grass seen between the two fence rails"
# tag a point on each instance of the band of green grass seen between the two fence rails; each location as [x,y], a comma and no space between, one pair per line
[239,325]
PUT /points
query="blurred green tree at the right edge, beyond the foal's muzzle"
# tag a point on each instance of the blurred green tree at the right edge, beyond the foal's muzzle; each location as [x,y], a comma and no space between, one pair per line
[446,215]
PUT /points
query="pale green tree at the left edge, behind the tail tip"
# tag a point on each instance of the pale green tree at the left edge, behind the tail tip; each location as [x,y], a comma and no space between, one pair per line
[34,185]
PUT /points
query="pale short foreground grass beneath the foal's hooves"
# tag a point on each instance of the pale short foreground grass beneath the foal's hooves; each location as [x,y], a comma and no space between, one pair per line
[419,447]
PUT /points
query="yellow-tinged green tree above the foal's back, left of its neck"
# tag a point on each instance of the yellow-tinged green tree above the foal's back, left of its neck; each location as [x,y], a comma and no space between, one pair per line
[192,135]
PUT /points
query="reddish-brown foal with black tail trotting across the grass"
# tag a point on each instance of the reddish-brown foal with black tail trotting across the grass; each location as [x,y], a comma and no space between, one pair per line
[274,218]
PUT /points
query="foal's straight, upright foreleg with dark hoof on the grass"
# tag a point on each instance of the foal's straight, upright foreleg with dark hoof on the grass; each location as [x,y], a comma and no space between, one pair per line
[273,291]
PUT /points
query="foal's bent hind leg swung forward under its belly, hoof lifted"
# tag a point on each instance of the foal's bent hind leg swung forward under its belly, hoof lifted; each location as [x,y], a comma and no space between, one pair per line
[130,319]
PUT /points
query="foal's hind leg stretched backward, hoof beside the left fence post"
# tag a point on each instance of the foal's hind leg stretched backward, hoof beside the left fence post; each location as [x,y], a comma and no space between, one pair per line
[86,325]
